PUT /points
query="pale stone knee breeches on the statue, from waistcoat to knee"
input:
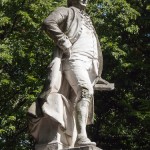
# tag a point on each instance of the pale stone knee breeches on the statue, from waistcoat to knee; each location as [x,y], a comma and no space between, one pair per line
[81,75]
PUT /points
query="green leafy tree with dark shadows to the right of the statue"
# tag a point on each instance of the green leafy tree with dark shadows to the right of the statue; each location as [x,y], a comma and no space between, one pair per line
[122,116]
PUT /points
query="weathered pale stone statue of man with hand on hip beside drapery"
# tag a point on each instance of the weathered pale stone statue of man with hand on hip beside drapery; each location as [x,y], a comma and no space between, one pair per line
[65,105]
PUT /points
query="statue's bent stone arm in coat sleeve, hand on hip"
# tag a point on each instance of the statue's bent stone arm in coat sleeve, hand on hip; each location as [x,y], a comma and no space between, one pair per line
[53,26]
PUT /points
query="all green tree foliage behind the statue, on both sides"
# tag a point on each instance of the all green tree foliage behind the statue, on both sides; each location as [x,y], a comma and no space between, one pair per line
[122,116]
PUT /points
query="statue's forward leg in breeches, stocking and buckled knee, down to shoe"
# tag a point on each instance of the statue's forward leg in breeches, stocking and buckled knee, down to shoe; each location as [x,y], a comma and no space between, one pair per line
[81,81]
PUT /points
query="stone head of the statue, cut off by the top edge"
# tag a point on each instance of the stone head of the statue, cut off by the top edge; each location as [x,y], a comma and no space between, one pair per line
[77,3]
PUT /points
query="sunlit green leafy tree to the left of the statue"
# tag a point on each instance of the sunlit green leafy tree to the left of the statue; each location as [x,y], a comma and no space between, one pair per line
[25,52]
